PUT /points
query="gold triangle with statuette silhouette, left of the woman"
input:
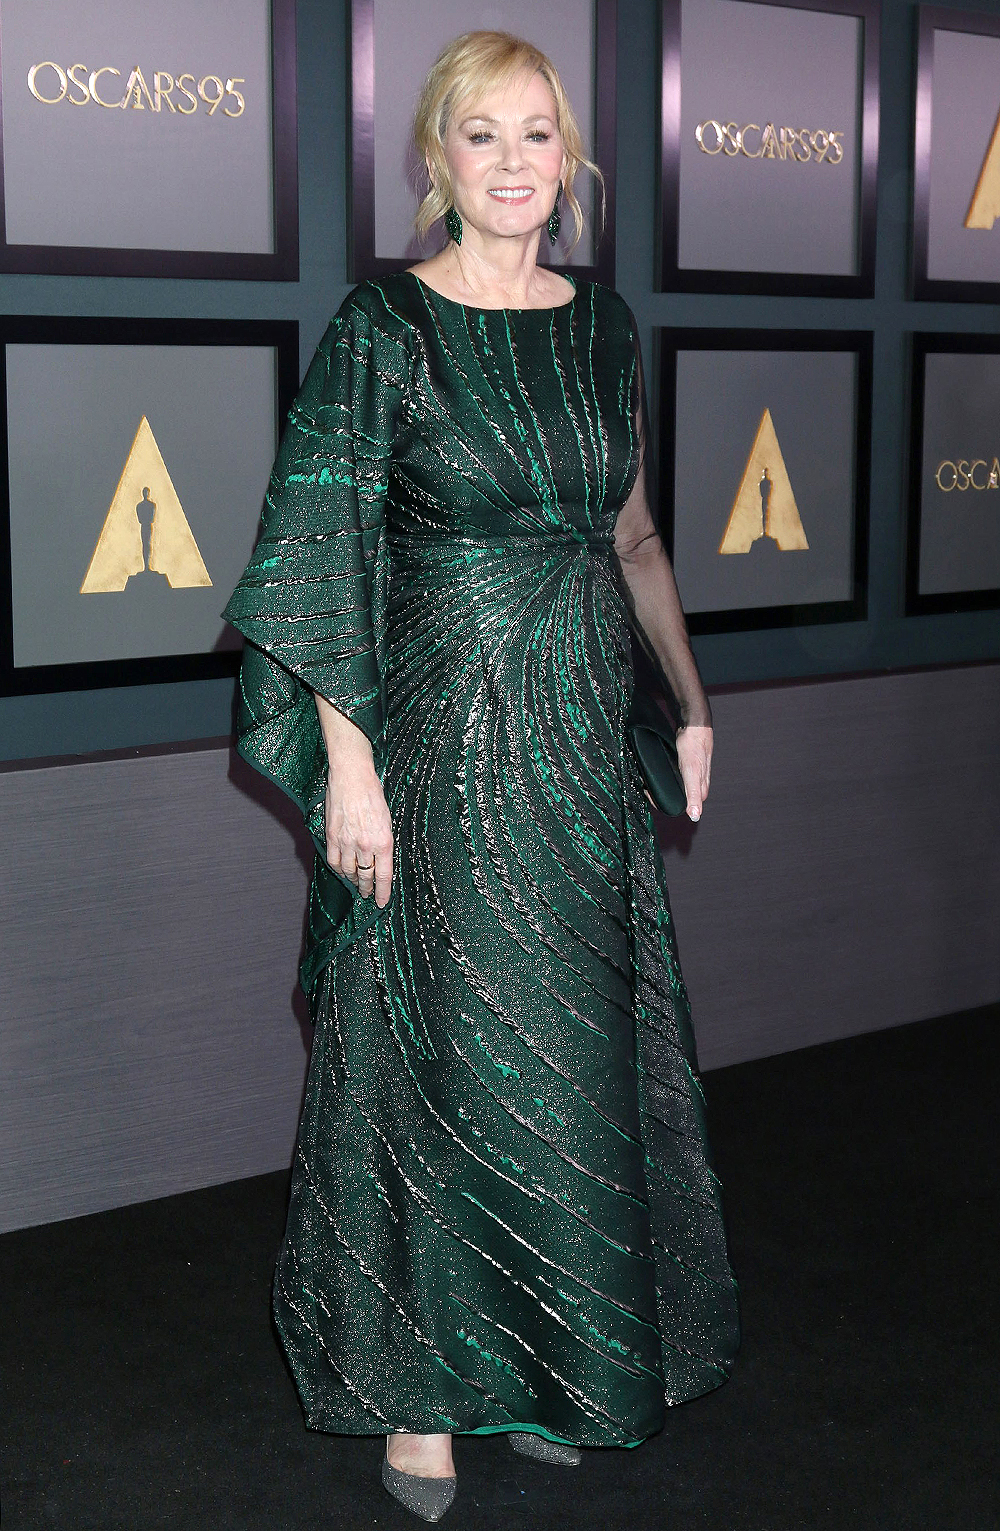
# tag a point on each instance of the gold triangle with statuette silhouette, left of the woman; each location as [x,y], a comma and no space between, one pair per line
[146,527]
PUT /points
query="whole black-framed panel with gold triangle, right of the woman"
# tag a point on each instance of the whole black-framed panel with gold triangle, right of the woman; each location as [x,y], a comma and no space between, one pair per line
[766,515]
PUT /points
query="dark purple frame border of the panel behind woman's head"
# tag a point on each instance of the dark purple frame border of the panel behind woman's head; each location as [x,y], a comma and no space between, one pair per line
[362,197]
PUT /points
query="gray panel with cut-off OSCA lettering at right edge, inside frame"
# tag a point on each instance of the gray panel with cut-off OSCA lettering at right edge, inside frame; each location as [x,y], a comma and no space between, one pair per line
[961,529]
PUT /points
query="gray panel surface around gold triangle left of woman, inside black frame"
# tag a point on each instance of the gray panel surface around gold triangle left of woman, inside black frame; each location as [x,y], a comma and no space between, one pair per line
[73,413]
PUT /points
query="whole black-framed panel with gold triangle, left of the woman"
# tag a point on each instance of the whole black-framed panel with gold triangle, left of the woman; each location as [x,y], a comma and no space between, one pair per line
[136,478]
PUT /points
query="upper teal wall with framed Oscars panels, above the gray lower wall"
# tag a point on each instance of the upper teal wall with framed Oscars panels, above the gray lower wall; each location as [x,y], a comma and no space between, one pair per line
[765,238]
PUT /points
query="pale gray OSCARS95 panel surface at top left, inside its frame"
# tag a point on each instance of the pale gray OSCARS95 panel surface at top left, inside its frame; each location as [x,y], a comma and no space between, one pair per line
[139,180]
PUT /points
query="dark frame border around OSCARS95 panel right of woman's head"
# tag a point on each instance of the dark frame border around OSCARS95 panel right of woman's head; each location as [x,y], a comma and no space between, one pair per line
[770,284]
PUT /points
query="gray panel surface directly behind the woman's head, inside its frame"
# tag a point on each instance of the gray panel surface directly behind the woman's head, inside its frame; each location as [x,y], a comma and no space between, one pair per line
[408,41]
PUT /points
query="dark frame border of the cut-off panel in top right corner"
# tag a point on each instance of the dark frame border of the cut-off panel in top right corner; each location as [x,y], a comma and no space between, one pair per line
[950,290]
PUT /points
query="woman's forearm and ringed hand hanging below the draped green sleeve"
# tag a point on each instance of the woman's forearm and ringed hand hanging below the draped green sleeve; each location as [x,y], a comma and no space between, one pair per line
[359,824]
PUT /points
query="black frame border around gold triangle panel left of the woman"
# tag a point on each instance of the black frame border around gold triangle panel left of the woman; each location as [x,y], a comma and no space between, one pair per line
[281,335]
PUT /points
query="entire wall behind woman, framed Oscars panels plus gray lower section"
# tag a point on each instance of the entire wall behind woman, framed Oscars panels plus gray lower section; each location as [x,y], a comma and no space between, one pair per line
[803,207]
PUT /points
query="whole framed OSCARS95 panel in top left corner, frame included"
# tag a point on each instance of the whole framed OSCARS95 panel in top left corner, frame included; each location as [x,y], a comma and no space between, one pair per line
[163,129]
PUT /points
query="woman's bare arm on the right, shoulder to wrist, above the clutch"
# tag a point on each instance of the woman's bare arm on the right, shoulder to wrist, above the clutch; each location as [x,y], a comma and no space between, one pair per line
[656,613]
